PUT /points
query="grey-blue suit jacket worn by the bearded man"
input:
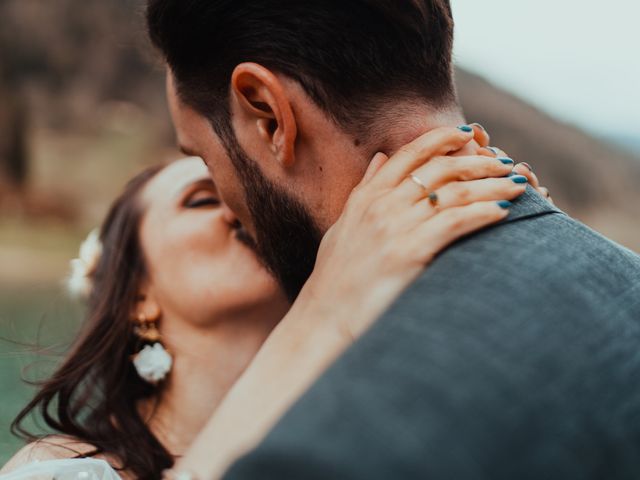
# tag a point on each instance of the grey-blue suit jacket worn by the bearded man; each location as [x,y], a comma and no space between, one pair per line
[515,355]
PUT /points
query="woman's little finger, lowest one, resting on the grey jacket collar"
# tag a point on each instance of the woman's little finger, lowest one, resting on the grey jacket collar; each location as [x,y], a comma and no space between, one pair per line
[451,224]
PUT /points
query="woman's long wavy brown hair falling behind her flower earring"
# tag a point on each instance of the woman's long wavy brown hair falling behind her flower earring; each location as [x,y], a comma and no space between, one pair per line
[93,395]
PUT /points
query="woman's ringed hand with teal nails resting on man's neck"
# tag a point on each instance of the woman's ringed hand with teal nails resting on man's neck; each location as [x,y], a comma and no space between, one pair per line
[405,211]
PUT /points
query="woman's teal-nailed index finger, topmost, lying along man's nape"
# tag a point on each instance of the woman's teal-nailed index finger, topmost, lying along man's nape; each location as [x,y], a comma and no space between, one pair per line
[437,142]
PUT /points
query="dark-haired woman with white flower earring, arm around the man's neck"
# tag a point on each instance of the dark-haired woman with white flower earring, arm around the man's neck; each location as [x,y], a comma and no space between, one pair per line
[173,263]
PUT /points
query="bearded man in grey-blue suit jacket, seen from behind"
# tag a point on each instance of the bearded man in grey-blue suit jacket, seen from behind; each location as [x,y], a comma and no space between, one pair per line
[513,356]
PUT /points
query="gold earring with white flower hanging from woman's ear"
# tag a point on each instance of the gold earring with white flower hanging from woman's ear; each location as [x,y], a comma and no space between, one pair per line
[152,362]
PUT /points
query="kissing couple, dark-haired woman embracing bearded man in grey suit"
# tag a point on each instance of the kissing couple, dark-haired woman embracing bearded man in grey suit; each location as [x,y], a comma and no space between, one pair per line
[355,286]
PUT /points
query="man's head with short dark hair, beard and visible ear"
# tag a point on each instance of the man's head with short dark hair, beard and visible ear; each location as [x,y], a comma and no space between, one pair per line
[287,101]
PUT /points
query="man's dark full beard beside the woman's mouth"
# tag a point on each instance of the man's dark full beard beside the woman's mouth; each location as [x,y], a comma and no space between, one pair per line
[287,237]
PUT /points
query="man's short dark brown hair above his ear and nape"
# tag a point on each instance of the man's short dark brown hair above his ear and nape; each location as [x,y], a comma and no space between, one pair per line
[352,57]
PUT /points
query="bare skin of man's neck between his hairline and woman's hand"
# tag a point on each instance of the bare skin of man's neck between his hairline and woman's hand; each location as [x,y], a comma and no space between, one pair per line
[339,159]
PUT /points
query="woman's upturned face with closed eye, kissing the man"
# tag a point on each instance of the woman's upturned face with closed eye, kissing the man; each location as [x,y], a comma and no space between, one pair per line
[198,269]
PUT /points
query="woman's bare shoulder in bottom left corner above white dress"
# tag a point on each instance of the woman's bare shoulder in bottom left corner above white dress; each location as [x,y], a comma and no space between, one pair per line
[52,447]
